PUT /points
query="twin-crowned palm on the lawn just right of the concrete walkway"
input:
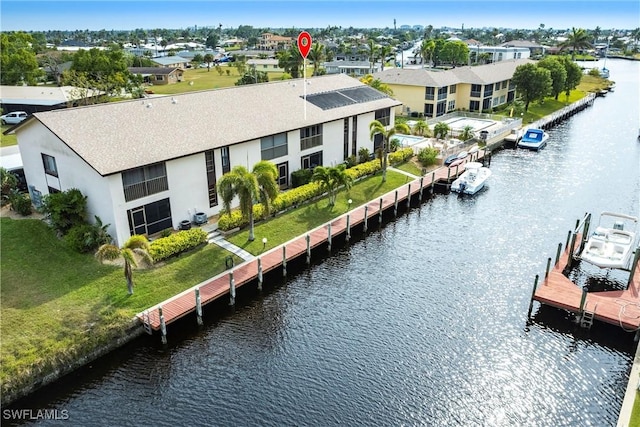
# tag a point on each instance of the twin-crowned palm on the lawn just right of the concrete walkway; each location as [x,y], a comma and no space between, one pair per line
[259,185]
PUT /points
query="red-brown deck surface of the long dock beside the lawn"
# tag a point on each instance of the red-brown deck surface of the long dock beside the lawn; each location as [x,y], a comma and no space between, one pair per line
[219,286]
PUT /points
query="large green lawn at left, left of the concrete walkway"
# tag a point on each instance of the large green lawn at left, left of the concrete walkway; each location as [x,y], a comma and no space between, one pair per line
[57,303]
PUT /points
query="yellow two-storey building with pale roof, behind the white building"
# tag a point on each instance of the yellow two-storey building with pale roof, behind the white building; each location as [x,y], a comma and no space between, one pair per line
[435,93]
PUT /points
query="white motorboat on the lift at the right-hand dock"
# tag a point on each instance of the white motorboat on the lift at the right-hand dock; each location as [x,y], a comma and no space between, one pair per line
[611,245]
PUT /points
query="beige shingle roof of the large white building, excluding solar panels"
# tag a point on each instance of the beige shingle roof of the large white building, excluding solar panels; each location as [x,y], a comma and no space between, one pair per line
[123,135]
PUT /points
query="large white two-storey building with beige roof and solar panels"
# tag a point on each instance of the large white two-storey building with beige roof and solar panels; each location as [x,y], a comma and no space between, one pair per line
[146,165]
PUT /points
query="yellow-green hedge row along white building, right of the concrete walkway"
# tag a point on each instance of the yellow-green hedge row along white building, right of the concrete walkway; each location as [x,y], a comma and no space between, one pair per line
[307,192]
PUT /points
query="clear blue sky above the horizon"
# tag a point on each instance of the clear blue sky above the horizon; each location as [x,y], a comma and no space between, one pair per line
[31,15]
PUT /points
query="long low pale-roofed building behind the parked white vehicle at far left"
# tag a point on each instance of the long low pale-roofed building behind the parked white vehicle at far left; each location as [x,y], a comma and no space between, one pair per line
[44,98]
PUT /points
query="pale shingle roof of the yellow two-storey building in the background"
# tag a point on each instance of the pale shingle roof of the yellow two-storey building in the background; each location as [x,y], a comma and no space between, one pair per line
[482,74]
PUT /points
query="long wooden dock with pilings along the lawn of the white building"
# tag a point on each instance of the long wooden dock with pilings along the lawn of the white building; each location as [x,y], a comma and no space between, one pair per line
[192,300]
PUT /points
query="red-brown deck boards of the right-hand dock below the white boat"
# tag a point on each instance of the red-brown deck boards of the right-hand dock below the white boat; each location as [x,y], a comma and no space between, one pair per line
[621,308]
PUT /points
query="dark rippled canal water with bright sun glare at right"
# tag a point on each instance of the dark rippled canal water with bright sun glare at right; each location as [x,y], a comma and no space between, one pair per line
[424,322]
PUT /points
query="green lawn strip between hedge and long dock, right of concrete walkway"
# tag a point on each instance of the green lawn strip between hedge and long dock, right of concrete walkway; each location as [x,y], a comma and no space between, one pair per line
[297,222]
